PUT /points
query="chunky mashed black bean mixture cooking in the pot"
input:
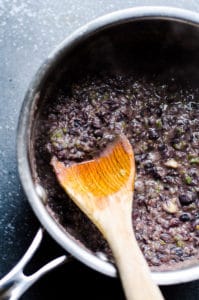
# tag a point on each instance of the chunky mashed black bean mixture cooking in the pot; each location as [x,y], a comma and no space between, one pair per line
[161,120]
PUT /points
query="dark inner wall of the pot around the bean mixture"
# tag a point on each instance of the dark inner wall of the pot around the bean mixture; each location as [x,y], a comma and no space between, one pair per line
[149,48]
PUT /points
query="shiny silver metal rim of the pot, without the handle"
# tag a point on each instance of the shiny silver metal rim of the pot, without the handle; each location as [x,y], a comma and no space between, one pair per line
[23,134]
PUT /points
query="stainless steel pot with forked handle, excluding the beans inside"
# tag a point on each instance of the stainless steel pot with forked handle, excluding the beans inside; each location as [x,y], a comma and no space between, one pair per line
[94,40]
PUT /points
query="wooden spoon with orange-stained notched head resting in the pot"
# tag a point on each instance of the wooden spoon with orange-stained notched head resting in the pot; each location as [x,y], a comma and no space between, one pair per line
[103,189]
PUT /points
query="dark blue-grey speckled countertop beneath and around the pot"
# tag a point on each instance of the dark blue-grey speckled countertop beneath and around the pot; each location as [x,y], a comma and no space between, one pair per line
[29,30]
